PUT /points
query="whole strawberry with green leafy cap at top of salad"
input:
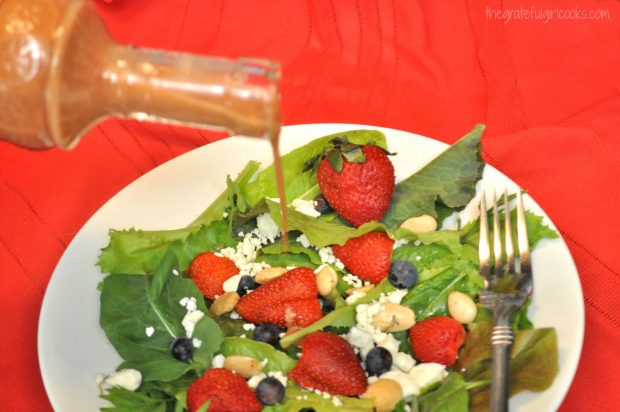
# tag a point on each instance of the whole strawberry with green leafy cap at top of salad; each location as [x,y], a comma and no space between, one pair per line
[361,191]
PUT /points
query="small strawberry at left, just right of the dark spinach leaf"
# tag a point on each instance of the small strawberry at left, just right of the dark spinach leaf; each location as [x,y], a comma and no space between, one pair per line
[210,271]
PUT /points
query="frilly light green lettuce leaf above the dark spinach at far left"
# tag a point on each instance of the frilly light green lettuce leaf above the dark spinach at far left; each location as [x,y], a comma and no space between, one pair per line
[139,252]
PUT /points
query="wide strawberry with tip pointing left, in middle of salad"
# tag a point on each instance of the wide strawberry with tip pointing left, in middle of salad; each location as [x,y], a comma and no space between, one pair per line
[290,300]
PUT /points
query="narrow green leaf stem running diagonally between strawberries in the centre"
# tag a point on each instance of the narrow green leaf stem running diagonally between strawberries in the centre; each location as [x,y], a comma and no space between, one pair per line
[341,317]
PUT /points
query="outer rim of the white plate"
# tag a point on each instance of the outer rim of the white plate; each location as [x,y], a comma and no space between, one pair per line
[54,277]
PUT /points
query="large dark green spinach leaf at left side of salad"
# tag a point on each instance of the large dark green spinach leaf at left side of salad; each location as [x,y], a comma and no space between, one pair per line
[131,303]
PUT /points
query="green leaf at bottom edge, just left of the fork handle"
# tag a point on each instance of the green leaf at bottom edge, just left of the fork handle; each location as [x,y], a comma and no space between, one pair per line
[451,396]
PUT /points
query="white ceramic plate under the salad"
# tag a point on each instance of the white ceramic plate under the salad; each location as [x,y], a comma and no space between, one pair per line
[73,349]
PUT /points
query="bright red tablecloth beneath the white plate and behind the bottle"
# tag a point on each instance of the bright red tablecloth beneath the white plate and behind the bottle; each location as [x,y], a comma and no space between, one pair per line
[543,75]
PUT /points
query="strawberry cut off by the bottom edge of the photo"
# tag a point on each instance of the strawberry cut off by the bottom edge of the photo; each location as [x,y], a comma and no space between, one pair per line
[227,391]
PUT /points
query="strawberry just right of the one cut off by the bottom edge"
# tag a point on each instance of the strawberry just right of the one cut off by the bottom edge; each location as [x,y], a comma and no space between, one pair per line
[329,364]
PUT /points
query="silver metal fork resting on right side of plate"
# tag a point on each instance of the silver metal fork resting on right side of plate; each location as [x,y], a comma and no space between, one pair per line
[507,285]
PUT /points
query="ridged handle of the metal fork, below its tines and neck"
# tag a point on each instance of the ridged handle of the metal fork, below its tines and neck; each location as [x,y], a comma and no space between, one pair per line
[501,341]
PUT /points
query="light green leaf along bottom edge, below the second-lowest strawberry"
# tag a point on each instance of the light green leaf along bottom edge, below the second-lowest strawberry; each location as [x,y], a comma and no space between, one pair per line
[313,401]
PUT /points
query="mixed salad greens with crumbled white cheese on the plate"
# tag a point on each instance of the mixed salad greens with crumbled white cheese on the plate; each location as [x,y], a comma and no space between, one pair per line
[148,300]
